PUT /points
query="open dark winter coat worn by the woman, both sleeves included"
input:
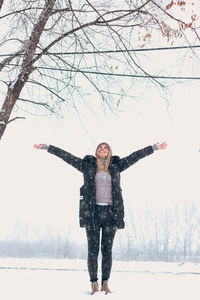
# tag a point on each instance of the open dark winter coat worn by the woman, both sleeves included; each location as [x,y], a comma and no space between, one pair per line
[88,167]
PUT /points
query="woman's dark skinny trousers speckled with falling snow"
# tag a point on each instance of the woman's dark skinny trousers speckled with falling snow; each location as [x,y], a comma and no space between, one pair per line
[102,224]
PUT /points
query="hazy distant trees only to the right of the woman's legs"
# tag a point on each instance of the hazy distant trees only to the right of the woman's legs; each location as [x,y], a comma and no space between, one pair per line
[165,235]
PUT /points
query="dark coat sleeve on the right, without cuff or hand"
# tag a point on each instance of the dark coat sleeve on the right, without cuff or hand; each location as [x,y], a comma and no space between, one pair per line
[128,161]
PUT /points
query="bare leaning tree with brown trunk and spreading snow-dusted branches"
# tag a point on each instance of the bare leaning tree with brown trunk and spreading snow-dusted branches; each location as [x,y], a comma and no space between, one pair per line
[36,71]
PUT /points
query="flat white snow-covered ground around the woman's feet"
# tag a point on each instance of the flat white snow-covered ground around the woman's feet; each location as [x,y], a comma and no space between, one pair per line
[66,279]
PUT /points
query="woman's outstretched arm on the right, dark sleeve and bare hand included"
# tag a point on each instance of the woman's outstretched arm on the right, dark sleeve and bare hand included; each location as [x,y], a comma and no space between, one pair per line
[128,161]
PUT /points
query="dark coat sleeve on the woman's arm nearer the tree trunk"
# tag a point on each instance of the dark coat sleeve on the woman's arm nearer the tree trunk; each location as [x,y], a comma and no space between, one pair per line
[74,161]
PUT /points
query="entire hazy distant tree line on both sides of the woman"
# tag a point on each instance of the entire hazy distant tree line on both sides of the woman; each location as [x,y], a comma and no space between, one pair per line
[164,235]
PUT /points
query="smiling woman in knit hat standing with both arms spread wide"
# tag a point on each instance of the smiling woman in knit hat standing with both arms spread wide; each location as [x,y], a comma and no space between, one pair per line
[101,203]
